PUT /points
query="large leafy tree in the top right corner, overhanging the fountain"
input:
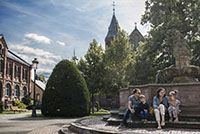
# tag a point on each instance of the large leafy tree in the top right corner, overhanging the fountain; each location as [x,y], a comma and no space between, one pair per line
[167,17]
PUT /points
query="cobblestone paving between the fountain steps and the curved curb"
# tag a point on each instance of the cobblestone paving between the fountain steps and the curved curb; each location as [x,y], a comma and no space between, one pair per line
[97,123]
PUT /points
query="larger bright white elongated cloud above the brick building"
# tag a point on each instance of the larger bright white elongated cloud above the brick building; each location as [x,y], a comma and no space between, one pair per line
[37,38]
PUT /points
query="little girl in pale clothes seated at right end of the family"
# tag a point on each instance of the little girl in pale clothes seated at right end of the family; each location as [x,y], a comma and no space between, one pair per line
[173,108]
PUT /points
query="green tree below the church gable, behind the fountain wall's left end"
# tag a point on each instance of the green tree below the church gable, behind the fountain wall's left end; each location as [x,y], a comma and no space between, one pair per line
[141,70]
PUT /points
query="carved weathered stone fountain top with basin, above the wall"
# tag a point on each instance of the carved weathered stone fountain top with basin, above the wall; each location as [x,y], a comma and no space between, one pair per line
[182,72]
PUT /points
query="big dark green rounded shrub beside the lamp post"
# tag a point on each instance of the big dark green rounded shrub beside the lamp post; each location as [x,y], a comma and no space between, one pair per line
[66,92]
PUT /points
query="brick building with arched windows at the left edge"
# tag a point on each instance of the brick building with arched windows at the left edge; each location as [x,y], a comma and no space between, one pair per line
[15,75]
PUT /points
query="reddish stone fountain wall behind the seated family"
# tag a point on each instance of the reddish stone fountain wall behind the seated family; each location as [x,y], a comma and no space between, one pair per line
[189,95]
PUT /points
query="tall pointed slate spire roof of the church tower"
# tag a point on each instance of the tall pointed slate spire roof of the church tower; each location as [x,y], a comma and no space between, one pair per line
[113,28]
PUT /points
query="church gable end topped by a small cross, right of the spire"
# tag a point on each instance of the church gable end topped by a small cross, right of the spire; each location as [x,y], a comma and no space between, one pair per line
[135,38]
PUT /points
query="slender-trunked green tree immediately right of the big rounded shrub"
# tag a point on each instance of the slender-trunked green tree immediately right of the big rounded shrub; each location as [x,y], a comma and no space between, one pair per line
[92,69]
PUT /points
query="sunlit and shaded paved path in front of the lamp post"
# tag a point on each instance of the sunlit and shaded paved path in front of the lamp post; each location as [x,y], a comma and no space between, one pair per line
[20,124]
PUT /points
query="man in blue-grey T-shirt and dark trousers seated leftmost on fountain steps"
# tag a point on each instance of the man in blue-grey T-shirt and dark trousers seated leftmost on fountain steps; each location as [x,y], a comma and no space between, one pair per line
[133,101]
